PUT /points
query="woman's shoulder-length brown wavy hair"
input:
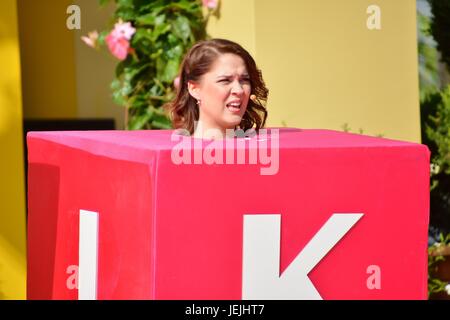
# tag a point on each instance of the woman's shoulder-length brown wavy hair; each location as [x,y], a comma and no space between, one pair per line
[183,110]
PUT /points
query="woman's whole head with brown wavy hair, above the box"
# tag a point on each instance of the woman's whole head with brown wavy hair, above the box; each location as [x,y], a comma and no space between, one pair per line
[217,78]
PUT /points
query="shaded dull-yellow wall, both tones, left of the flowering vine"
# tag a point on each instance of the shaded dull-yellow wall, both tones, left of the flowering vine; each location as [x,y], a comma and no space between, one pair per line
[62,77]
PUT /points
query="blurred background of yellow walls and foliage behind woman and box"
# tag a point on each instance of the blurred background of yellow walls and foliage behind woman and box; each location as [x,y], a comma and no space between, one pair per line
[378,68]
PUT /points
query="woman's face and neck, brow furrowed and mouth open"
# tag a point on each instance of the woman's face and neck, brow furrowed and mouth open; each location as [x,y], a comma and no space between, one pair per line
[223,92]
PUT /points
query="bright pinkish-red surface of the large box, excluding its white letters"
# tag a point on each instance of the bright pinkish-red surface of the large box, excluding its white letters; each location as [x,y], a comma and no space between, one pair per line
[175,231]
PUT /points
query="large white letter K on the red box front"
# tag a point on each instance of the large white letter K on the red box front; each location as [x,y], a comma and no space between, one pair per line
[261,278]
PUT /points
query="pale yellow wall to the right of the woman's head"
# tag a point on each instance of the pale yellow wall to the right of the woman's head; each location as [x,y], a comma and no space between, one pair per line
[324,68]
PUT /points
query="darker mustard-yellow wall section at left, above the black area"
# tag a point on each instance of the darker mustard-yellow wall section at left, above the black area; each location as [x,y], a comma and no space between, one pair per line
[48,59]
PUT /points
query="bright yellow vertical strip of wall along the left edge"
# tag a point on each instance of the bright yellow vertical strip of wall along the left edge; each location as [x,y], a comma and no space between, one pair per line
[12,196]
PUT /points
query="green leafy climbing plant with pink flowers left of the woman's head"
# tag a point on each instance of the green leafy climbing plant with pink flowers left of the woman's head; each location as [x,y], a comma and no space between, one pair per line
[165,30]
